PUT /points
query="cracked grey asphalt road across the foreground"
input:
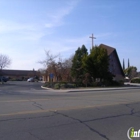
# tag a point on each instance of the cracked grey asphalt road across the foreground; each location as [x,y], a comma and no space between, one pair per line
[31,113]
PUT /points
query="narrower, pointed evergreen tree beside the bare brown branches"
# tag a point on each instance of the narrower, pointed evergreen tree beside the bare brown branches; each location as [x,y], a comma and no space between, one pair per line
[77,70]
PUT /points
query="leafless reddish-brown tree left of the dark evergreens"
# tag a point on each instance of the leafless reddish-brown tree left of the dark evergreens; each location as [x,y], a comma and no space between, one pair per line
[58,67]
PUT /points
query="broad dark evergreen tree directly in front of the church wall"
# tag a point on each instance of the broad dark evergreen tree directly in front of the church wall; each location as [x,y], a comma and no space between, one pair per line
[97,63]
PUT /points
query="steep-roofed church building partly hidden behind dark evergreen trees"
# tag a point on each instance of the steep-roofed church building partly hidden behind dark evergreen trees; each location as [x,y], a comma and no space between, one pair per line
[114,63]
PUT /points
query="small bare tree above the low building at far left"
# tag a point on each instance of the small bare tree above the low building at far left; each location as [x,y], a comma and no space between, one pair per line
[5,61]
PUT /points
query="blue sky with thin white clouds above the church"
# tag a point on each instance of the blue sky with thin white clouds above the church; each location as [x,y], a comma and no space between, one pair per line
[28,27]
